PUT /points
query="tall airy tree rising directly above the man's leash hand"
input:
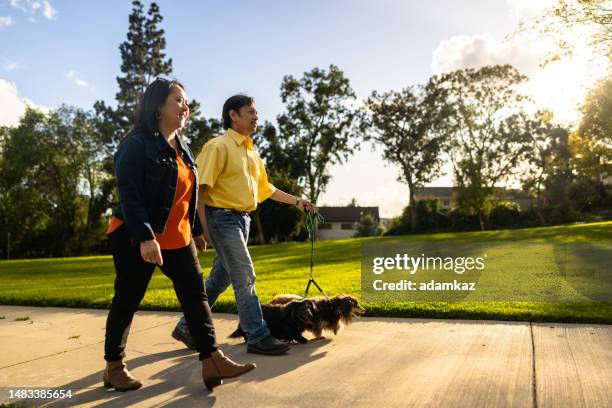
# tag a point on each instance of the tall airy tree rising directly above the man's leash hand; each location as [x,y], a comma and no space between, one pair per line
[316,128]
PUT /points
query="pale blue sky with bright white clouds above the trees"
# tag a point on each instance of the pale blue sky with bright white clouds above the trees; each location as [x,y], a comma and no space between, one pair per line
[54,52]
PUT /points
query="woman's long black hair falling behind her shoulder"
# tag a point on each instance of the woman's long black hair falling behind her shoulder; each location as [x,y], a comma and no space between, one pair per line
[146,118]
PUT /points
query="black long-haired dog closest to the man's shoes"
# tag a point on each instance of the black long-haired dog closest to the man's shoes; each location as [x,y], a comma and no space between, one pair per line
[286,321]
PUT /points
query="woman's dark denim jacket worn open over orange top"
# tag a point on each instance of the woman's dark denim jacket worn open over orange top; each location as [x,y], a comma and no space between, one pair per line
[147,171]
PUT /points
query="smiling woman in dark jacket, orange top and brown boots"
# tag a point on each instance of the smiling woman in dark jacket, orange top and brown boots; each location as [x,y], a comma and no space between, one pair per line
[154,225]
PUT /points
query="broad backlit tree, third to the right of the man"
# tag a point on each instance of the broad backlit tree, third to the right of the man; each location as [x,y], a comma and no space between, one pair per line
[491,132]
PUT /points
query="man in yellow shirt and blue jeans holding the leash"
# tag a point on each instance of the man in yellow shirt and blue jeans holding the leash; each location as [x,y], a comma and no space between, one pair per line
[233,181]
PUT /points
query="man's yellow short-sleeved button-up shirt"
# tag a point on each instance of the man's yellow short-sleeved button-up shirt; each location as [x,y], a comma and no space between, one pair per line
[234,173]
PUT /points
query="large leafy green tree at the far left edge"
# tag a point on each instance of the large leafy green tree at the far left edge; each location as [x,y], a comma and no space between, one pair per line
[50,183]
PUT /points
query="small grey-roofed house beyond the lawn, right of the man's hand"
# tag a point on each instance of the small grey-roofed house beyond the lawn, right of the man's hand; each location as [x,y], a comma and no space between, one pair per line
[341,222]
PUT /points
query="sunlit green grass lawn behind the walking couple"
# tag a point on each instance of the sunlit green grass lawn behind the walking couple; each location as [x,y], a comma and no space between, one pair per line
[284,268]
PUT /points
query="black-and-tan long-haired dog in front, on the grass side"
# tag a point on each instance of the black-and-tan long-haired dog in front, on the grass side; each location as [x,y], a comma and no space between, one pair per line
[328,313]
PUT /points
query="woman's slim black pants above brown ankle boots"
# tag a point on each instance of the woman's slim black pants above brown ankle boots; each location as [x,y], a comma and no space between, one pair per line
[133,276]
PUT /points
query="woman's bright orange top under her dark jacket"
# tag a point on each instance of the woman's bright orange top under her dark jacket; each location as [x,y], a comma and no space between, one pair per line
[178,230]
